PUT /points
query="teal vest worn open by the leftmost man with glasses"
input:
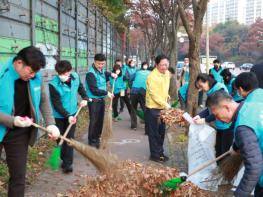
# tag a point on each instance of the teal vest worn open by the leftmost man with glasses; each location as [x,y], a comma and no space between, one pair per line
[8,75]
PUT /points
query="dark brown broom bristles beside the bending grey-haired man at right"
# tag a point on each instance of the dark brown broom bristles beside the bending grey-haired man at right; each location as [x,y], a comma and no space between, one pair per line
[229,167]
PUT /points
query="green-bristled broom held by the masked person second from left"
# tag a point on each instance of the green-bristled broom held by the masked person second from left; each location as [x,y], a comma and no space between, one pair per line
[54,159]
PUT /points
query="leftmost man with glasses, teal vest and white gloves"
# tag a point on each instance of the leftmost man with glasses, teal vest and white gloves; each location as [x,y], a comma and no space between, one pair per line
[22,98]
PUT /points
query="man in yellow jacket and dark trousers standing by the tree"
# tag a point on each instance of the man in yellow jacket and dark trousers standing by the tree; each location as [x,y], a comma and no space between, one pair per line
[157,88]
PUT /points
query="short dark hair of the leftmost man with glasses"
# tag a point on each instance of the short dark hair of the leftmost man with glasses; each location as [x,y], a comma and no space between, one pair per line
[32,57]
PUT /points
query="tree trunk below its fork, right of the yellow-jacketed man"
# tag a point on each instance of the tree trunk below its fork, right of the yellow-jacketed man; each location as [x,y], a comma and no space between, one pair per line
[192,99]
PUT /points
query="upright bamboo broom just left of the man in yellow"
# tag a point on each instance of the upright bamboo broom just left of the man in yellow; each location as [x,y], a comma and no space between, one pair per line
[107,125]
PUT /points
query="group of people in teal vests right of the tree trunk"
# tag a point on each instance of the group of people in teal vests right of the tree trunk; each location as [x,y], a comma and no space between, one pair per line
[234,106]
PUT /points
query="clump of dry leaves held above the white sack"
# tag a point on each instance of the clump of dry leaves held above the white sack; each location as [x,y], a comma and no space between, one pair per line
[173,116]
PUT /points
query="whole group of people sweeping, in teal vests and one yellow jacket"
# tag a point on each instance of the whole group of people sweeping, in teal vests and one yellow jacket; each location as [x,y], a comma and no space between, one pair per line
[23,99]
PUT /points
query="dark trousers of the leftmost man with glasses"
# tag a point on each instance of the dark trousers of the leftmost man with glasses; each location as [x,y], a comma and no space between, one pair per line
[15,144]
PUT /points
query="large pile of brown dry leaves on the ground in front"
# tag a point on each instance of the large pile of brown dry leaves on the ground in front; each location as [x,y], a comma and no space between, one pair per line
[135,179]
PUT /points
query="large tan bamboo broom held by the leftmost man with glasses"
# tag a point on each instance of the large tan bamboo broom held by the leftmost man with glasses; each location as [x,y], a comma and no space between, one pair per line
[103,161]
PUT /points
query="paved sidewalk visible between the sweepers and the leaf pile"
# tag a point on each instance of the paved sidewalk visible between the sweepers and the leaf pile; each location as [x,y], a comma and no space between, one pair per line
[126,143]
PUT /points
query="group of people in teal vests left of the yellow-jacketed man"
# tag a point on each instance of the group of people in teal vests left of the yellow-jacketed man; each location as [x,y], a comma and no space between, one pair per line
[24,101]
